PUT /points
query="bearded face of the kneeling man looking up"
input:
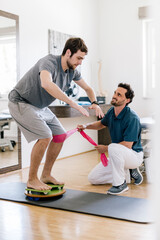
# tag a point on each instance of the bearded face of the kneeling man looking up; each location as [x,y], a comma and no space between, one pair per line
[119,97]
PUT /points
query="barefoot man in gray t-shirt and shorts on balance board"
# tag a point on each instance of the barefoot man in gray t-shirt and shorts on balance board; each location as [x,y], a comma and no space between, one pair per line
[46,81]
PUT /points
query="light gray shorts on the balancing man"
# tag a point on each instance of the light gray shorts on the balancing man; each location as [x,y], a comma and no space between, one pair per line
[35,123]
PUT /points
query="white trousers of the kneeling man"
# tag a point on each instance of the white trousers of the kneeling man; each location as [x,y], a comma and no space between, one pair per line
[121,159]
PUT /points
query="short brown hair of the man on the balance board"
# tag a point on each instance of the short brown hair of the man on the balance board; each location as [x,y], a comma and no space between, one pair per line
[75,44]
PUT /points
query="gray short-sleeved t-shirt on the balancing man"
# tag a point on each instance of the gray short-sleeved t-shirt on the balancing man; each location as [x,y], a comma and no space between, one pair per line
[29,89]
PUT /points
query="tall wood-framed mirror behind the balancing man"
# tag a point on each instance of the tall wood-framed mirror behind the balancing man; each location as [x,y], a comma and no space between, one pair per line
[10,149]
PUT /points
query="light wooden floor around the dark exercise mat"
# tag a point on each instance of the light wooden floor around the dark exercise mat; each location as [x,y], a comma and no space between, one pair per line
[26,222]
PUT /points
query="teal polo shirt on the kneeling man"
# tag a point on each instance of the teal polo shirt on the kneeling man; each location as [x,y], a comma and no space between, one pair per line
[125,127]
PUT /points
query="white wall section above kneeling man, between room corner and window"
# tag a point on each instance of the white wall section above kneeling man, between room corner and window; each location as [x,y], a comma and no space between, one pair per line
[120,38]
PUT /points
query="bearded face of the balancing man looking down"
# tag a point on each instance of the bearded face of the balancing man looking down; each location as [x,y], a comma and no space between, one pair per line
[76,59]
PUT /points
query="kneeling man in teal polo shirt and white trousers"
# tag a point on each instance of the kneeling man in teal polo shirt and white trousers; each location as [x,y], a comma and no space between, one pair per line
[125,152]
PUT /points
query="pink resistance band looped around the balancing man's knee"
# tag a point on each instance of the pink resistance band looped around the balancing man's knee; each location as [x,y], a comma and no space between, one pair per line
[63,137]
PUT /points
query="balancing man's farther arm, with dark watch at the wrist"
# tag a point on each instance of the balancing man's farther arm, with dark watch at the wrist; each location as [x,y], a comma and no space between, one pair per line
[92,97]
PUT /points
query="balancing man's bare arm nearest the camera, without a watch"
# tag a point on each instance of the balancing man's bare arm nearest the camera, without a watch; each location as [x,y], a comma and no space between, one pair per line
[56,92]
